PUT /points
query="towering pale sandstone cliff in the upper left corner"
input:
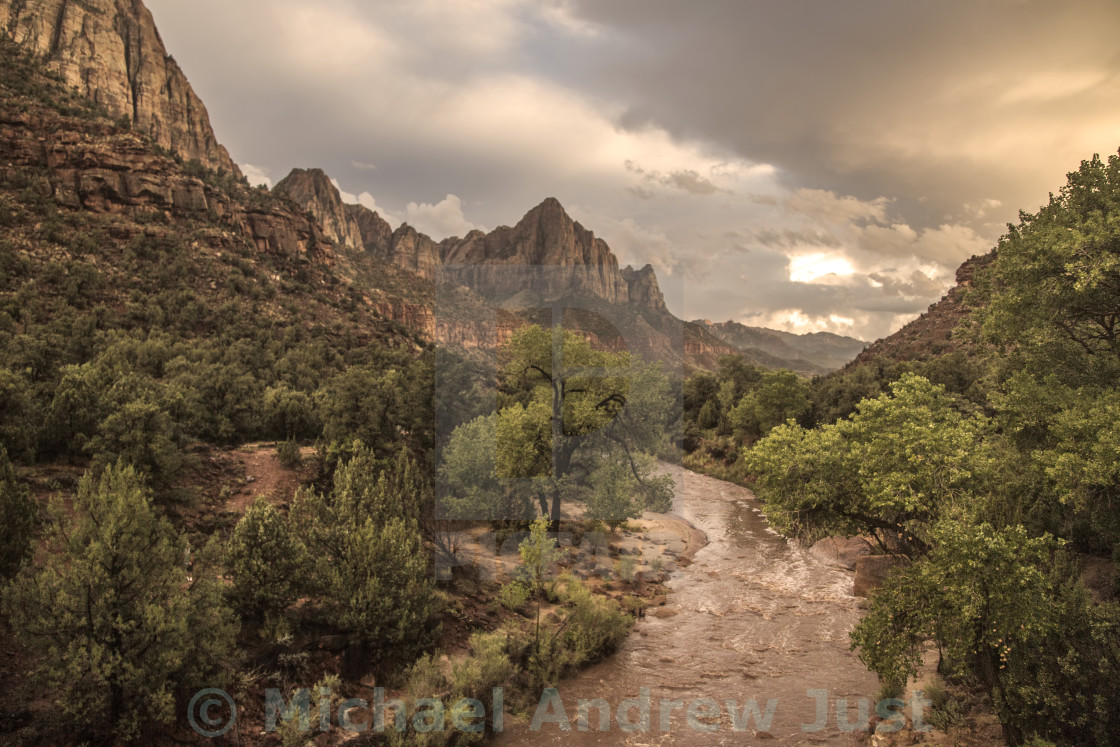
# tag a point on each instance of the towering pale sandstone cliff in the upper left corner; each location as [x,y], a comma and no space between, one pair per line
[111,53]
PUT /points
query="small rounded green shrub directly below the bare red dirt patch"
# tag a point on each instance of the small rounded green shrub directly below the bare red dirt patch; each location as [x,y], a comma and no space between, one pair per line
[267,563]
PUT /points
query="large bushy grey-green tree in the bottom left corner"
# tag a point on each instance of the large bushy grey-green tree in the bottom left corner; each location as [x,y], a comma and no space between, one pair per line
[120,630]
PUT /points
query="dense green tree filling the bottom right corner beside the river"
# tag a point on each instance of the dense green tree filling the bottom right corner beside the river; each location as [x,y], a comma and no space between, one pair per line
[1007,609]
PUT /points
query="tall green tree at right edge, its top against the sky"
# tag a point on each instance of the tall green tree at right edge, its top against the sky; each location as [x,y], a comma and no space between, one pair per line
[1051,302]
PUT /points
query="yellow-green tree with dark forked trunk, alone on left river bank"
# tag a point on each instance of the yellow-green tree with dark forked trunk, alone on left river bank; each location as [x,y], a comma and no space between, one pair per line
[565,409]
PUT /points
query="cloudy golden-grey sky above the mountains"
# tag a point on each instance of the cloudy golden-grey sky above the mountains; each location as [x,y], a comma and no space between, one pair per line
[804,165]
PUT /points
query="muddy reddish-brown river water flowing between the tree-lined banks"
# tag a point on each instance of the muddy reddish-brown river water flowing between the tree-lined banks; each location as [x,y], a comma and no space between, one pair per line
[754,640]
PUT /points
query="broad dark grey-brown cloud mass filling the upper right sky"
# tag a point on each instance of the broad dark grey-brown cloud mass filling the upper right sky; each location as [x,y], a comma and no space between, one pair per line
[945,102]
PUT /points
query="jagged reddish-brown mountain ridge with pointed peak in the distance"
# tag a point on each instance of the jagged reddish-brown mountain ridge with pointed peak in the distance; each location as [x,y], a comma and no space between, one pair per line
[545,257]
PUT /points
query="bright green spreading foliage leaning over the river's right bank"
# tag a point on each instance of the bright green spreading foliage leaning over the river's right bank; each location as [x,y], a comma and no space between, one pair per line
[893,470]
